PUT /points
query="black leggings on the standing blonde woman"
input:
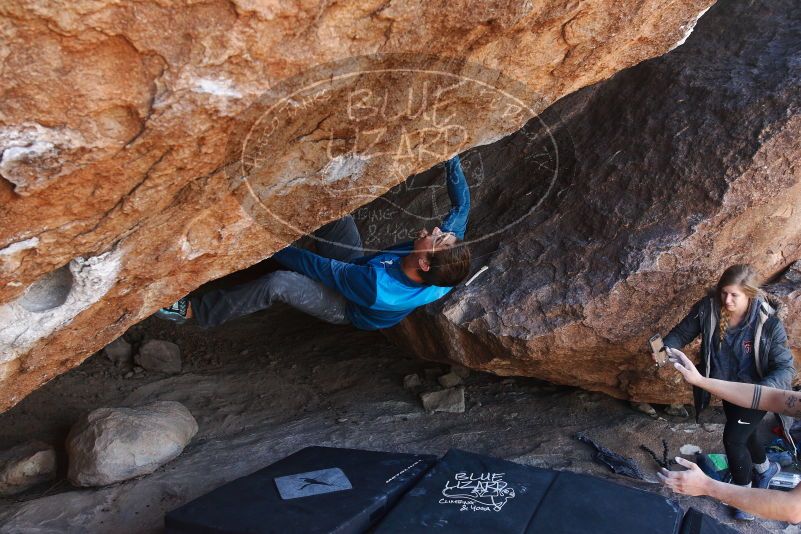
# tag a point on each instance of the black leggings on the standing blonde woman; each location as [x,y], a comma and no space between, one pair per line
[740,440]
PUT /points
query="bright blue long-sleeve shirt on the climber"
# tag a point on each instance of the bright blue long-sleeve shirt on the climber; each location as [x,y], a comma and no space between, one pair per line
[378,292]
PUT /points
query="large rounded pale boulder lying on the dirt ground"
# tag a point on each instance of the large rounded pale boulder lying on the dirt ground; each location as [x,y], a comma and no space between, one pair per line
[114,444]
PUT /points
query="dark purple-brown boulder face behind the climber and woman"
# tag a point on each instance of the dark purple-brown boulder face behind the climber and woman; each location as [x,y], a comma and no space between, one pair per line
[670,171]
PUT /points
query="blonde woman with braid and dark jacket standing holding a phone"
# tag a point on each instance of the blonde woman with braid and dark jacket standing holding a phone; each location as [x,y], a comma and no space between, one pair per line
[743,340]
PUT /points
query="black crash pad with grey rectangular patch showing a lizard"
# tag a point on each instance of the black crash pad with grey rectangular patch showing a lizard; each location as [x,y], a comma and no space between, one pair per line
[253,504]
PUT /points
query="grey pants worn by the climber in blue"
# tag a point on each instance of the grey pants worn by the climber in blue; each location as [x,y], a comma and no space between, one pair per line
[338,240]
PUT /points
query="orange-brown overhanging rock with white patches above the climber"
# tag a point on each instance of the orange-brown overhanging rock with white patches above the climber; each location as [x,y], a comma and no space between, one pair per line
[115,119]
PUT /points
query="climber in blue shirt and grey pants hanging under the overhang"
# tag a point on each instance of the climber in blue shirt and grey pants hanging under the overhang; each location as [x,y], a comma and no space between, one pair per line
[339,285]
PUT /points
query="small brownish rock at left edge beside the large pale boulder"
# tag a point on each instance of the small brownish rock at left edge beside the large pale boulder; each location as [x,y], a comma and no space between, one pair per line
[25,466]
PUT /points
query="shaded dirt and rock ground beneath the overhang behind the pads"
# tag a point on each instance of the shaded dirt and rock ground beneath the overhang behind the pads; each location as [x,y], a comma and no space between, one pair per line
[267,385]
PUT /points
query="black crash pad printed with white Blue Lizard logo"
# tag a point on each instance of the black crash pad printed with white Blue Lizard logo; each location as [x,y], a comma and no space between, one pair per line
[467,492]
